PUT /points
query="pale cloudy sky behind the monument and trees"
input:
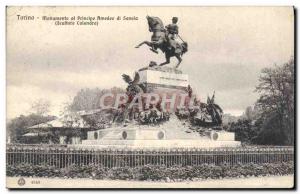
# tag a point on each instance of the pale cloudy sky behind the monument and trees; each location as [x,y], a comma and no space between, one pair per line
[228,47]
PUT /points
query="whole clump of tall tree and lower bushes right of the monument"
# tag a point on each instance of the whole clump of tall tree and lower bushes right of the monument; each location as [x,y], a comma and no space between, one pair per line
[271,122]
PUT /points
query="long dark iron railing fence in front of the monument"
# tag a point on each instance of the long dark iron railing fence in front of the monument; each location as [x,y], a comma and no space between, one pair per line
[63,157]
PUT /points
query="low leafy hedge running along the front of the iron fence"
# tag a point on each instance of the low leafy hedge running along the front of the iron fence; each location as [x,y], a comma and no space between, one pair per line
[154,172]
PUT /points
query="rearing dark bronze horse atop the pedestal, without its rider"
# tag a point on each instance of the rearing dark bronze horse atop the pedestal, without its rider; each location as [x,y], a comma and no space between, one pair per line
[159,40]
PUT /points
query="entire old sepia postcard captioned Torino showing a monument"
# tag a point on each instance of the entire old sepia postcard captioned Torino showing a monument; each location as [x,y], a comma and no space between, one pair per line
[150,97]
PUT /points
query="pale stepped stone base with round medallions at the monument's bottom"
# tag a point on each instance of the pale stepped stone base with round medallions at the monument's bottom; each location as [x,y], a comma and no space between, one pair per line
[172,134]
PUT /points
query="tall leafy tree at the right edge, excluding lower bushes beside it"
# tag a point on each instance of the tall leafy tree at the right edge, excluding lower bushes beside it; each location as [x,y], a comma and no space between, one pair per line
[276,103]
